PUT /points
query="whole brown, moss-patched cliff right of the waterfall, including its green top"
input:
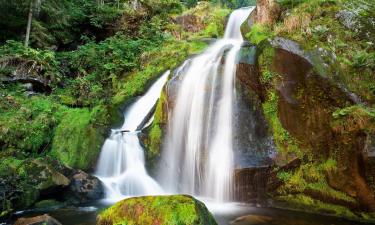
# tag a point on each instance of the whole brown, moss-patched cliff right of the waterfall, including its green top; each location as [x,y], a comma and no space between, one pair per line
[315,115]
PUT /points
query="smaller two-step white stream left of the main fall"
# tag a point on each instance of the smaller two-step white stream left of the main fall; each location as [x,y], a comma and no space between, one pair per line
[121,165]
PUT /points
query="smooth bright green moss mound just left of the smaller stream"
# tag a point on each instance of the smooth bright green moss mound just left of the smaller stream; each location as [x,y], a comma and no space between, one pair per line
[78,139]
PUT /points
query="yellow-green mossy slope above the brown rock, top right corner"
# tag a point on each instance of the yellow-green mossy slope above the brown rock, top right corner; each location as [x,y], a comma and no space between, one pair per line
[348,56]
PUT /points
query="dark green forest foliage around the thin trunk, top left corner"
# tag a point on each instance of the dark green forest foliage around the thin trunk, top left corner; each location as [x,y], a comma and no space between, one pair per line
[56,22]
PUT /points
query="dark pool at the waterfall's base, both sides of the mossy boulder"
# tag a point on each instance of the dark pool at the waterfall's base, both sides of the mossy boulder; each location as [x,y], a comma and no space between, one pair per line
[225,214]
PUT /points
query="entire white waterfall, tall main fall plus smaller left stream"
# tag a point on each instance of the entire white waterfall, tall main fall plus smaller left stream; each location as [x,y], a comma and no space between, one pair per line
[197,155]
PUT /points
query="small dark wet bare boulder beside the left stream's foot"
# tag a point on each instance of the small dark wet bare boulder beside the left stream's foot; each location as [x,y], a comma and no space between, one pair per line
[84,188]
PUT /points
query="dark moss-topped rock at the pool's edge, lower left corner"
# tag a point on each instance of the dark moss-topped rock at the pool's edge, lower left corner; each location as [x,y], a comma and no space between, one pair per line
[32,180]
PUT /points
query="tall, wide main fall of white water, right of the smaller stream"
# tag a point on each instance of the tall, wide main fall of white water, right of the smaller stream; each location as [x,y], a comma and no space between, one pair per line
[198,155]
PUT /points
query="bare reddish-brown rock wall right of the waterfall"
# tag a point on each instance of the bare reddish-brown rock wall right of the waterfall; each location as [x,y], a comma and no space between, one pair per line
[306,103]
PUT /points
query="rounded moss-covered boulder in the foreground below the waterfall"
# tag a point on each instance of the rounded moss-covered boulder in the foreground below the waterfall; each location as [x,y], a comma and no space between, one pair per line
[166,210]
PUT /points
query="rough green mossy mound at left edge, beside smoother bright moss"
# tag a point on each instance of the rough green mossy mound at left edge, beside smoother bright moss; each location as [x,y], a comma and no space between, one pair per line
[26,123]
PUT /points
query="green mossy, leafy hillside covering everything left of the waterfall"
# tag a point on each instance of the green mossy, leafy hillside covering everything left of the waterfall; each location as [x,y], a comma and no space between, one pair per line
[85,60]
